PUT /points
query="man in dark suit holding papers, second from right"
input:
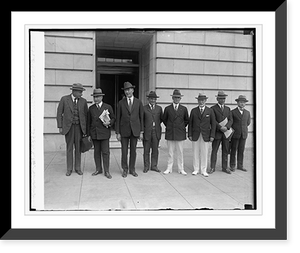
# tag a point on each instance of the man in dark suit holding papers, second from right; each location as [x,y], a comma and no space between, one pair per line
[222,112]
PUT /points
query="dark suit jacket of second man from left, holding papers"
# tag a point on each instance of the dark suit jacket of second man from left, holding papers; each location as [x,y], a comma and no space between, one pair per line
[95,127]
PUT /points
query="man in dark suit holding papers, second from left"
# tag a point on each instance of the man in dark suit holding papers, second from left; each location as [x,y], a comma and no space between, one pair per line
[100,120]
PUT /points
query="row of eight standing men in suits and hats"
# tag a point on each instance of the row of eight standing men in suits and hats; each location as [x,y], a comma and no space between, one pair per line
[135,121]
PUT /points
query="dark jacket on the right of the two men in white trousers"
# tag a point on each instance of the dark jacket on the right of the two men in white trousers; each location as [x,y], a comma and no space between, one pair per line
[205,124]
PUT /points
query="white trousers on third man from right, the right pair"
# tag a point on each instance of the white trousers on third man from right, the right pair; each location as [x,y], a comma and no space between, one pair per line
[200,150]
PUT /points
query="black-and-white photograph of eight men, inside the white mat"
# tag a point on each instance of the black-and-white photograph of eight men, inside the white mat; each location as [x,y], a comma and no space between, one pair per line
[180,133]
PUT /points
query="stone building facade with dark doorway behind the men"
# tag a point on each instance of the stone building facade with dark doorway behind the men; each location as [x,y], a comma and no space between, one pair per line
[191,60]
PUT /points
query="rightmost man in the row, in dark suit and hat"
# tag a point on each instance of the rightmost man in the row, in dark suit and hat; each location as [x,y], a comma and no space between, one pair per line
[241,120]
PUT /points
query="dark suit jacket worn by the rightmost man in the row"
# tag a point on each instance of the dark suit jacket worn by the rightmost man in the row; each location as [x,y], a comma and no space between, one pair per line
[240,123]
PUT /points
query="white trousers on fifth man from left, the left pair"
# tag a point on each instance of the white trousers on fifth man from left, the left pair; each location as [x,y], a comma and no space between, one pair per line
[172,145]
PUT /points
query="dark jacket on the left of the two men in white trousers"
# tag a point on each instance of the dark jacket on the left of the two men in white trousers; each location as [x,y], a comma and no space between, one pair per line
[175,122]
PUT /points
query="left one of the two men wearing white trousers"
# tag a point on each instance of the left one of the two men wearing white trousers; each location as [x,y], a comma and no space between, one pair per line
[175,118]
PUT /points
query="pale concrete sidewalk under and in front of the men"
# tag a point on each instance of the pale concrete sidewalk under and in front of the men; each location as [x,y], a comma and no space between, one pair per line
[148,191]
